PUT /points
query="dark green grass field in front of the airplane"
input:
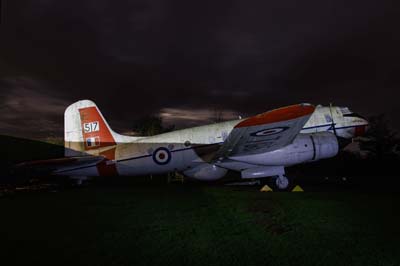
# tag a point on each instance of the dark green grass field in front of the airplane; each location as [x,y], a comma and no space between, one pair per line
[198,225]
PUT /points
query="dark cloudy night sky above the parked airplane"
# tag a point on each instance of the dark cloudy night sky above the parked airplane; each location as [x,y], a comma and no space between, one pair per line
[185,59]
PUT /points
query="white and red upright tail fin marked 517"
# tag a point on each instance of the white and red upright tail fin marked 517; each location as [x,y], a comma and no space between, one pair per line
[85,129]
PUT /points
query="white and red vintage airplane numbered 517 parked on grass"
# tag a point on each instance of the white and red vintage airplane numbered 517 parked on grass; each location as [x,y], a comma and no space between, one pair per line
[258,147]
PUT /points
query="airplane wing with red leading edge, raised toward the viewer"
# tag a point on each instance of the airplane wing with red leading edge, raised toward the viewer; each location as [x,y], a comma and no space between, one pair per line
[265,132]
